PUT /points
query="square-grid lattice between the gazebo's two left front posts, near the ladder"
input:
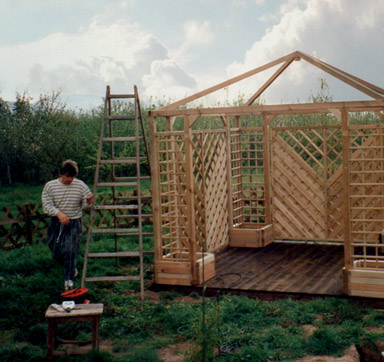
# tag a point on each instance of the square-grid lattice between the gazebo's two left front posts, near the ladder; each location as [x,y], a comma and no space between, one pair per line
[173,191]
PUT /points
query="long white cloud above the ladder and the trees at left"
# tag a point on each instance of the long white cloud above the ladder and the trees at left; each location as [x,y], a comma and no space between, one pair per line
[119,54]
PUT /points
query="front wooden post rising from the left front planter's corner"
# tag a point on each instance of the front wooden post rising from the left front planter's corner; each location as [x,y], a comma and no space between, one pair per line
[190,197]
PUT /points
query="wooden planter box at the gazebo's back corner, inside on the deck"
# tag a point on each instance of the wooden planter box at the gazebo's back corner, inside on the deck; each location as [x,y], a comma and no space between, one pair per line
[255,236]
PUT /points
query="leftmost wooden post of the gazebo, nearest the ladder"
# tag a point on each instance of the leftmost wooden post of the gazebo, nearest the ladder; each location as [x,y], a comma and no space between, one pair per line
[155,179]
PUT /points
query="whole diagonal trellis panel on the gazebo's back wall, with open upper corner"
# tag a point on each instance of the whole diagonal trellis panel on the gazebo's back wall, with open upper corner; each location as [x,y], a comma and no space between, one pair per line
[307,183]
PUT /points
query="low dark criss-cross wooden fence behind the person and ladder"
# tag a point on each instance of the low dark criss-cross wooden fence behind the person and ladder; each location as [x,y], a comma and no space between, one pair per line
[26,224]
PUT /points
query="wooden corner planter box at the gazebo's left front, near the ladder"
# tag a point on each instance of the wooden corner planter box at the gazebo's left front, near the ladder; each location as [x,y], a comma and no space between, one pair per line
[172,272]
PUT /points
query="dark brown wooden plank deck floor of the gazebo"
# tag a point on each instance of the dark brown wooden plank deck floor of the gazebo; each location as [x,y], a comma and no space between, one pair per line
[281,267]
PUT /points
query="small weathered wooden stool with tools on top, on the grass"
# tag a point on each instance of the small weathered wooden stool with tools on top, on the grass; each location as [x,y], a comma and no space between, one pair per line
[81,313]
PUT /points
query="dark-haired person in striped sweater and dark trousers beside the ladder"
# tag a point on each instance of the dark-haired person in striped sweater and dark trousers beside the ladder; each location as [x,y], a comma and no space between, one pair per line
[63,199]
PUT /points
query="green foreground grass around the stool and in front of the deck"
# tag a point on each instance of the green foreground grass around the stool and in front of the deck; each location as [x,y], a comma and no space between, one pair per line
[239,328]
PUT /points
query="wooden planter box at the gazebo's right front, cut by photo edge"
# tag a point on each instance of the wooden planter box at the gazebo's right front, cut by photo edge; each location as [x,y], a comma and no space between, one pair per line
[366,279]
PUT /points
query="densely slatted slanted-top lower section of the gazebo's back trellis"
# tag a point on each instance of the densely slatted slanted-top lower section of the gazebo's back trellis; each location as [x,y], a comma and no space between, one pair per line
[298,197]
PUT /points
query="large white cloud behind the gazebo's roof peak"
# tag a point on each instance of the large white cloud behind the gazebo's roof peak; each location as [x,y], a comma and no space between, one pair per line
[340,32]
